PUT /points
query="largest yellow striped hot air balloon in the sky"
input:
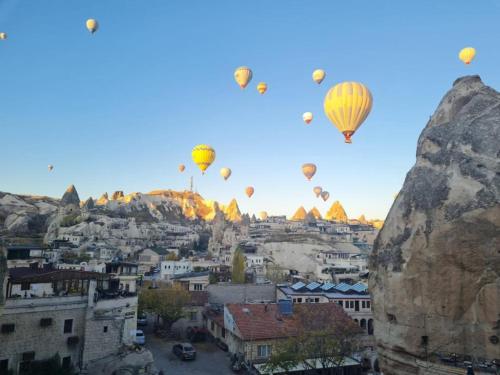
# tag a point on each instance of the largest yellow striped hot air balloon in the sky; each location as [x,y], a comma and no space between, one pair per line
[347,105]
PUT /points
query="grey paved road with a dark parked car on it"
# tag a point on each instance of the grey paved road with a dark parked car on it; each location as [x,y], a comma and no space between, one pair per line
[209,360]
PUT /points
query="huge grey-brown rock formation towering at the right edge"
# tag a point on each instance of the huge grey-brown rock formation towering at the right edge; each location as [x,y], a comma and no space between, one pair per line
[435,268]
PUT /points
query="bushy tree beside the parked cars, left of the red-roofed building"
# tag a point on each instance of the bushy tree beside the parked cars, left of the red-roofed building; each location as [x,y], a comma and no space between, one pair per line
[167,302]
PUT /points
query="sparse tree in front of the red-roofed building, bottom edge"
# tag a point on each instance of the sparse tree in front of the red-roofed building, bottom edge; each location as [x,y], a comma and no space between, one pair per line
[322,338]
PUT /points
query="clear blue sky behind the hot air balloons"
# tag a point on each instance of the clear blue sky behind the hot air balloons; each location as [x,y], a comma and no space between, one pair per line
[121,109]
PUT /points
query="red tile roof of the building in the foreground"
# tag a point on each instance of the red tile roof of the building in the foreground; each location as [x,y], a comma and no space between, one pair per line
[268,323]
